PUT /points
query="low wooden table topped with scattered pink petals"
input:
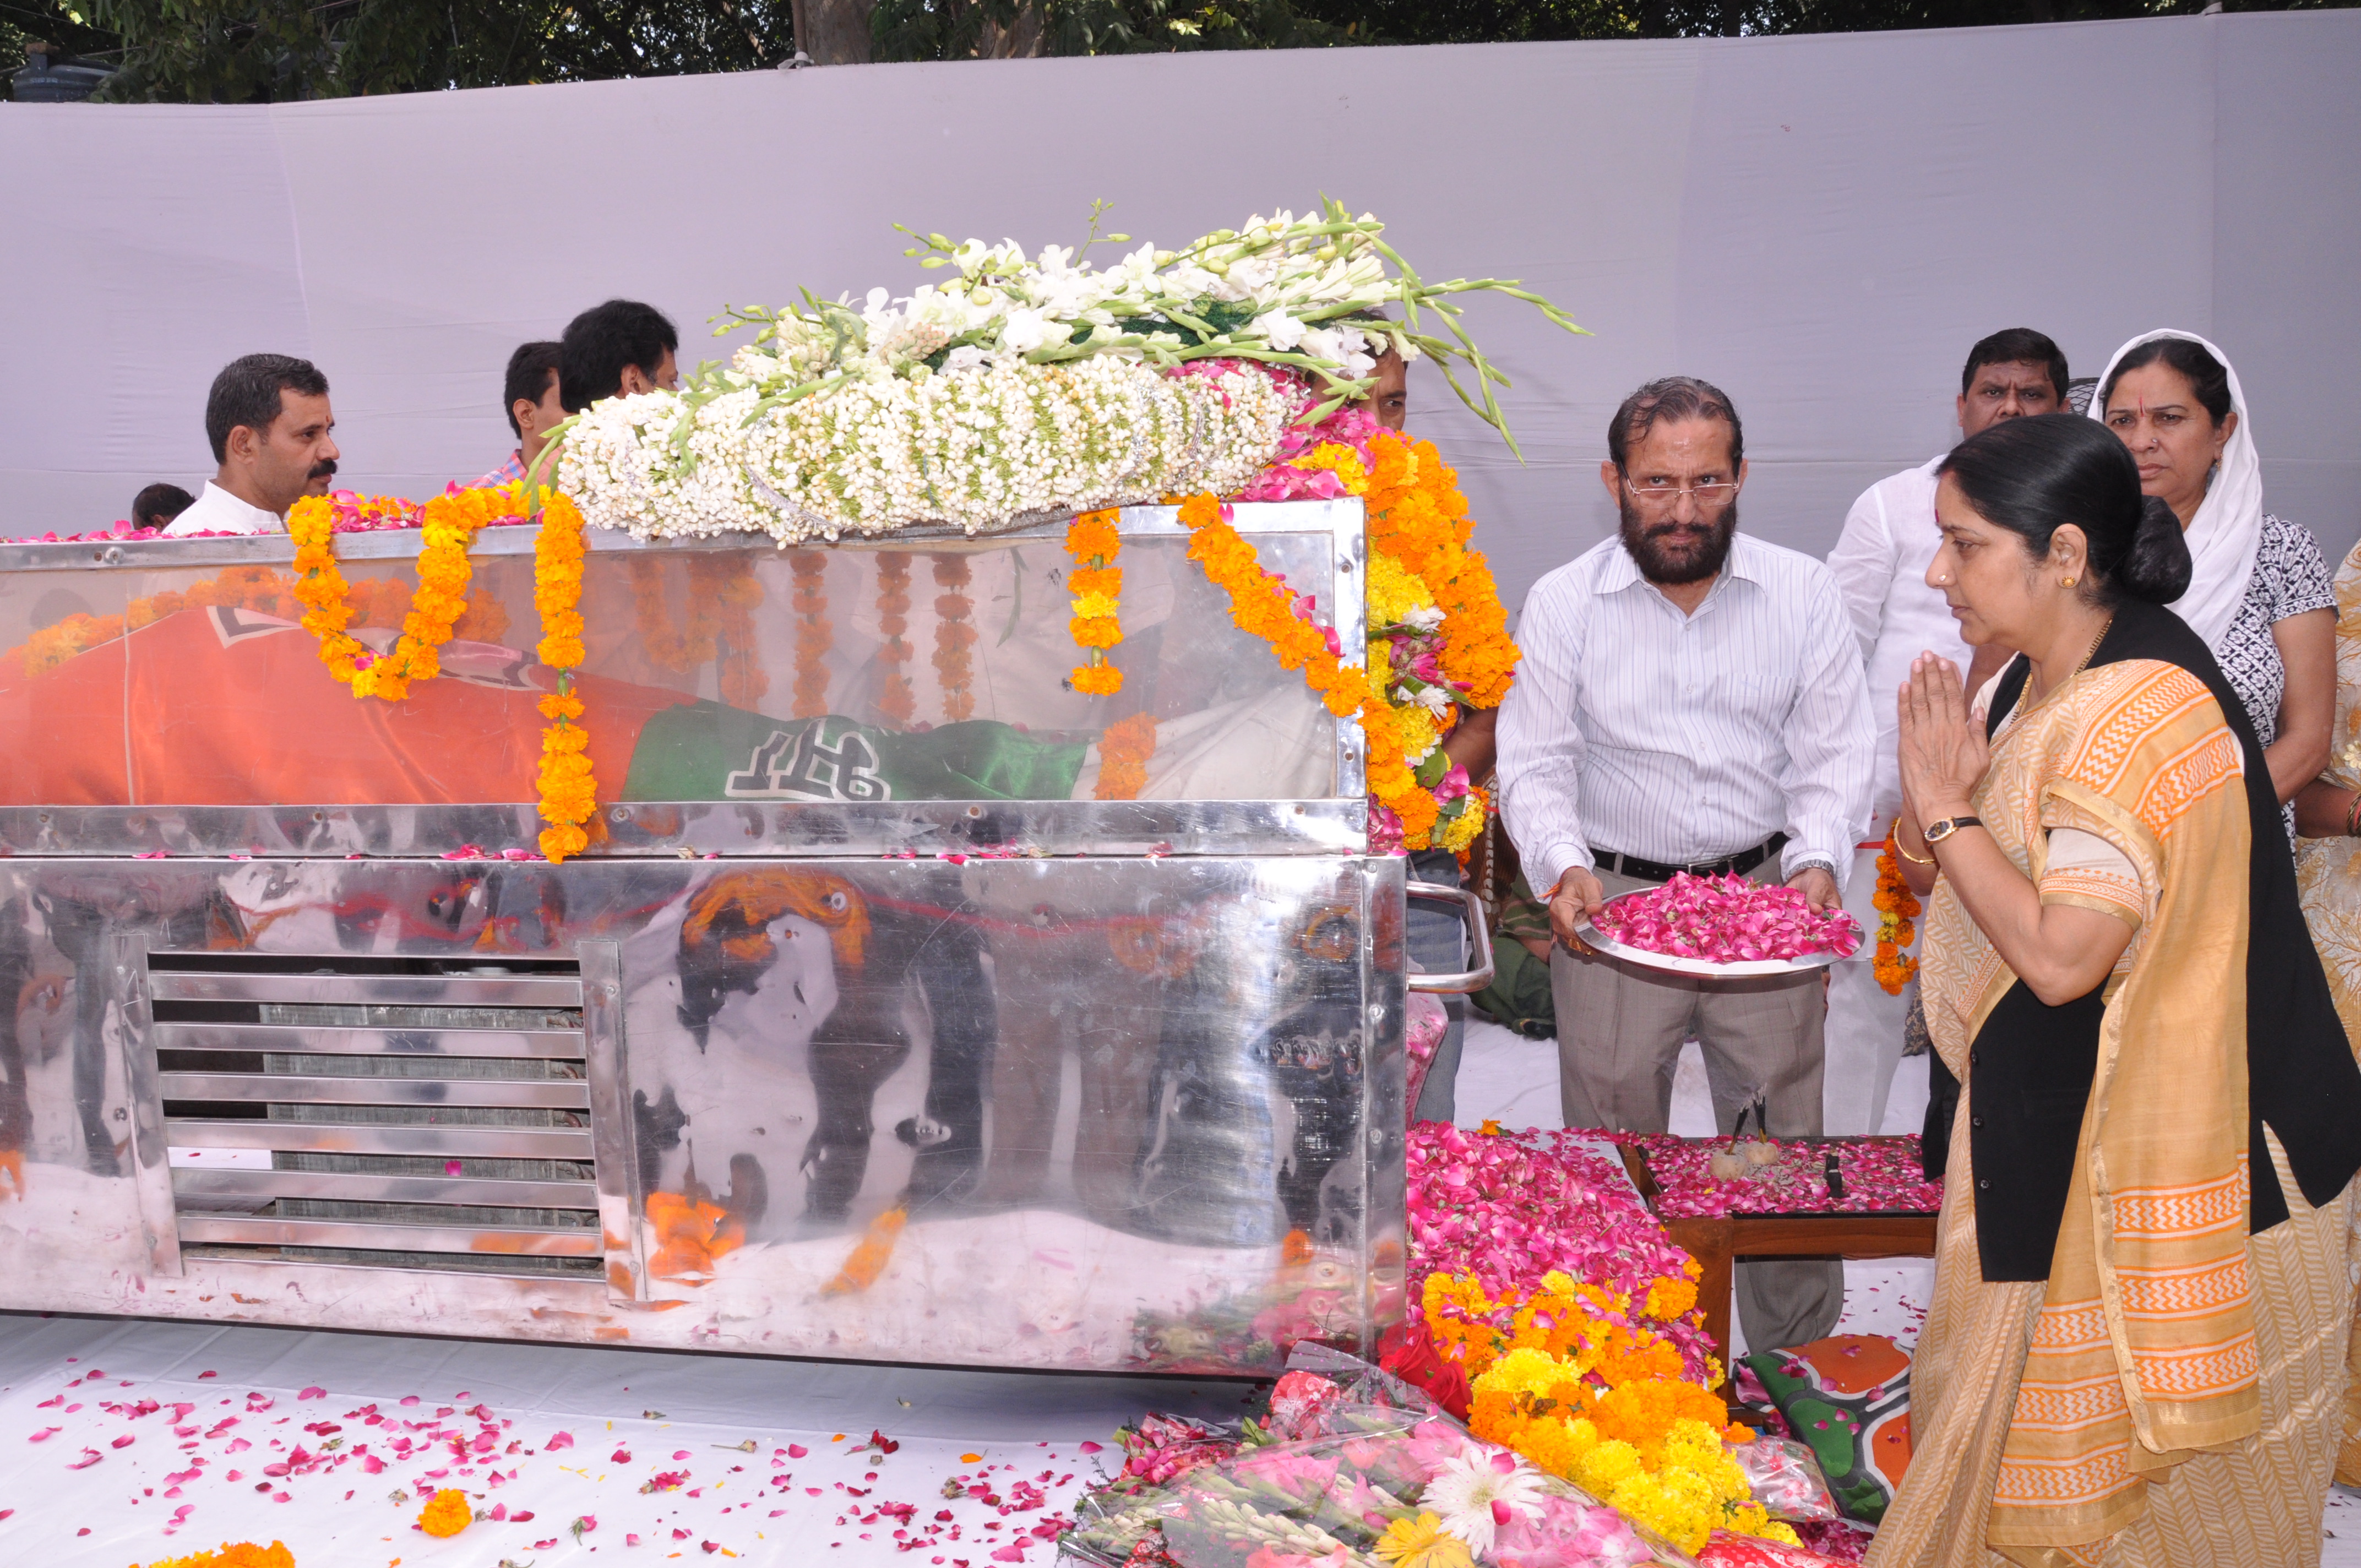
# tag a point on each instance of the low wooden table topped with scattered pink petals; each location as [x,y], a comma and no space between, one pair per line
[1720,1203]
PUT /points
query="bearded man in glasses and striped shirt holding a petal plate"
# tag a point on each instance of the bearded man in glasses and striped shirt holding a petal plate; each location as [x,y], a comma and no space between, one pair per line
[1692,700]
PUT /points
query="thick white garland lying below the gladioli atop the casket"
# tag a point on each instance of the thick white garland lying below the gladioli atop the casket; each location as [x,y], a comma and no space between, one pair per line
[979,450]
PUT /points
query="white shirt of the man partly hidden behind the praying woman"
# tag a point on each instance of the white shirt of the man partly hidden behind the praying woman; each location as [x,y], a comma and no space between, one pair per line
[1881,563]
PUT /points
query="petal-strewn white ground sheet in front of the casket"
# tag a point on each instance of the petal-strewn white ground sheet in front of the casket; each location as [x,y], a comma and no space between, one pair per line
[138,1442]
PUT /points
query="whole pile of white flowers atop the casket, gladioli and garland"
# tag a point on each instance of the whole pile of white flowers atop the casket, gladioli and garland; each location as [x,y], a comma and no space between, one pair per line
[927,410]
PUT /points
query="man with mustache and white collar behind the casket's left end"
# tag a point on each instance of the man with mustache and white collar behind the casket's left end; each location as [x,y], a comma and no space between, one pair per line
[268,419]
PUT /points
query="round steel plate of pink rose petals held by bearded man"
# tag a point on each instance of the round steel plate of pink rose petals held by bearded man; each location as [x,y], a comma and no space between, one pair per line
[1722,927]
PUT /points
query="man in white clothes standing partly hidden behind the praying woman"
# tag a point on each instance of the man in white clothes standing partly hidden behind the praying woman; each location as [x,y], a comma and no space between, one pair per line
[1881,568]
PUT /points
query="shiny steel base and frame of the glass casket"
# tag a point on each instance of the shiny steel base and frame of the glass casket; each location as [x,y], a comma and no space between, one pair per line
[1057,1083]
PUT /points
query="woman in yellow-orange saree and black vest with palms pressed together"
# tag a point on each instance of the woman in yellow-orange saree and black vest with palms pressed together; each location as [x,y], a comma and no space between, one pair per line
[2143,1300]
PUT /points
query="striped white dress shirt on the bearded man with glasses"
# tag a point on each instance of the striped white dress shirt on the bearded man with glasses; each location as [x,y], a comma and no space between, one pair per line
[1685,738]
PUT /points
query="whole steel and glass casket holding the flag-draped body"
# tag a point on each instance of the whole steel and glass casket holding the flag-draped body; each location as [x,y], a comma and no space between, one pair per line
[905,1007]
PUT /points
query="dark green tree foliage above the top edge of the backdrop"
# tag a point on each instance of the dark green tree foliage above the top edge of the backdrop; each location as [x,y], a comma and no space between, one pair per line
[266,51]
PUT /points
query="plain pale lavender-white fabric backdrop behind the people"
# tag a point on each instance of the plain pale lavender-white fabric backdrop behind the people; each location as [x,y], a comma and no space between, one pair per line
[1822,226]
